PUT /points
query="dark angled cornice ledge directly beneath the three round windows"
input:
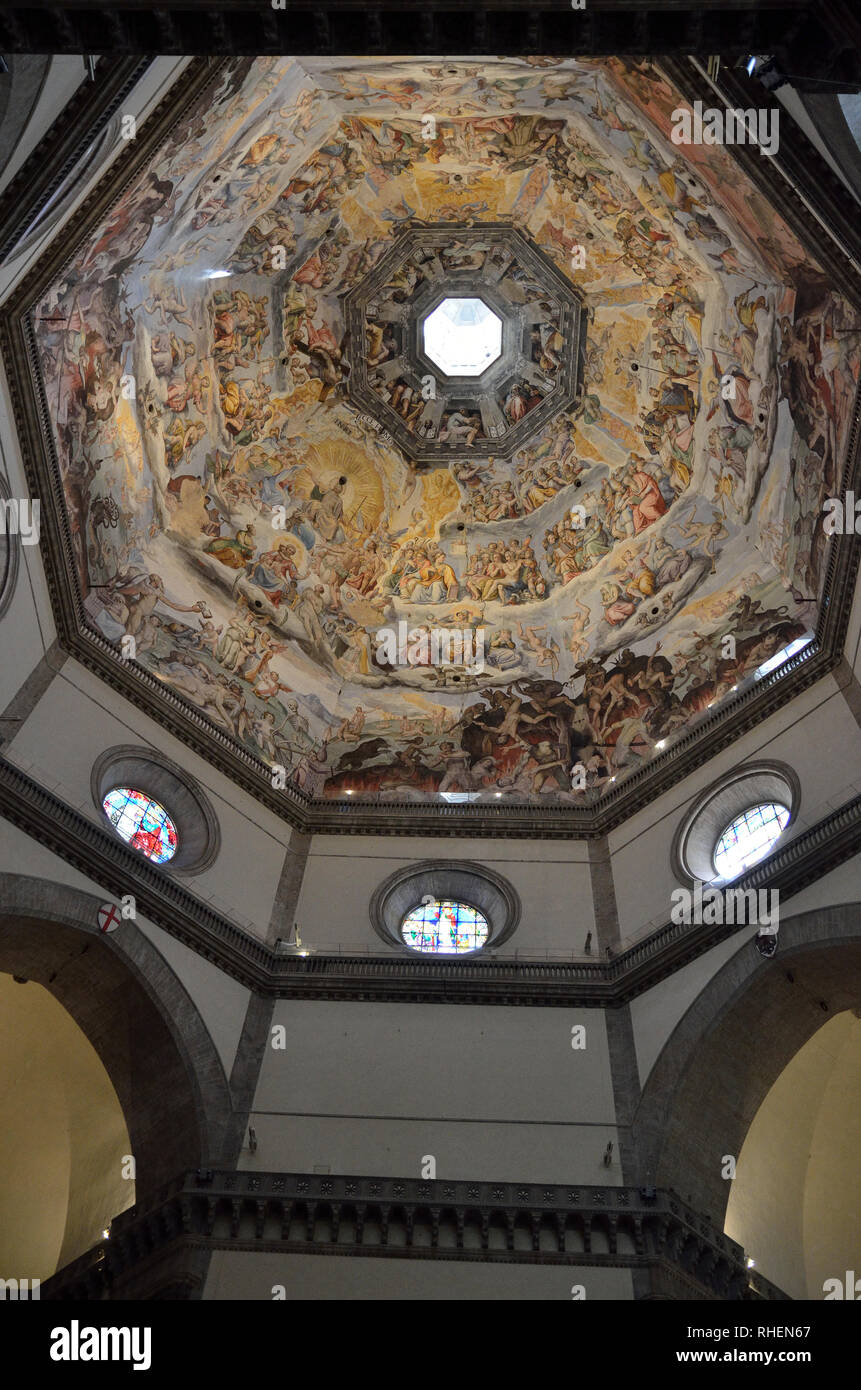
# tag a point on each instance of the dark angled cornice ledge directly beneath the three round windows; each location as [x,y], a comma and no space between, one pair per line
[161,899]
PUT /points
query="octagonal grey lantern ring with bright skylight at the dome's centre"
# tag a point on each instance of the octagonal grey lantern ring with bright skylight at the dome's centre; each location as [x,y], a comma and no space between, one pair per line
[474,340]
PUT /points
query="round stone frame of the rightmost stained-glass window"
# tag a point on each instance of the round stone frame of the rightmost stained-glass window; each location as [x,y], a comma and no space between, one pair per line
[724,801]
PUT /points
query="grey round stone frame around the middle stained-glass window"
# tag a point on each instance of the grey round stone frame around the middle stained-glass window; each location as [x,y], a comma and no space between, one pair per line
[456,881]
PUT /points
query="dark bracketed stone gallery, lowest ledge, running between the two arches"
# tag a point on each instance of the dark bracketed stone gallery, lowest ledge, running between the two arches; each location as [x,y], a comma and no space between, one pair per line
[475,1221]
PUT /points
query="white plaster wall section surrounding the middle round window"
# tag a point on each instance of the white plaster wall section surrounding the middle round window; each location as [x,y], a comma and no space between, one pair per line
[552,878]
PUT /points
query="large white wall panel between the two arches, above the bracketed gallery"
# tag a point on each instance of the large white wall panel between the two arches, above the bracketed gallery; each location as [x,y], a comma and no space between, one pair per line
[492,1093]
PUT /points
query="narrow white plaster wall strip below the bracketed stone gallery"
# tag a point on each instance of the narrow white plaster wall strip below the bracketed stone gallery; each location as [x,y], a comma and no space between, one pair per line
[244,1277]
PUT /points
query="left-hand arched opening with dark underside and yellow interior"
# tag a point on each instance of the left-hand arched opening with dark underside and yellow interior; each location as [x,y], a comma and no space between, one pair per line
[102,1027]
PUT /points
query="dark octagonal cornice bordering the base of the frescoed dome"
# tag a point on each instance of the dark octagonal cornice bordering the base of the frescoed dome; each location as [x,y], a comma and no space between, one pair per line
[501,819]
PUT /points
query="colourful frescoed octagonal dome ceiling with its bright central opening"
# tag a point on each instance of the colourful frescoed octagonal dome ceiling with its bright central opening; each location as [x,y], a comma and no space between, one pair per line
[279,491]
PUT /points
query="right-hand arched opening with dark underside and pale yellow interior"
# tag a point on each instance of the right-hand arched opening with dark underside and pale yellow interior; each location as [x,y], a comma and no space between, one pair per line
[731,1085]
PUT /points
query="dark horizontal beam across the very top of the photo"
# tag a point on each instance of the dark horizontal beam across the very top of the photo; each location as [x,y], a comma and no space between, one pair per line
[805,34]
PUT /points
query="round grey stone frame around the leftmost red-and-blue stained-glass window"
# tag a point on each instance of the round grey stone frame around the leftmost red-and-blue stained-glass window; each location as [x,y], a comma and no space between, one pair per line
[195,822]
